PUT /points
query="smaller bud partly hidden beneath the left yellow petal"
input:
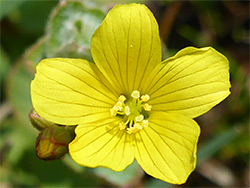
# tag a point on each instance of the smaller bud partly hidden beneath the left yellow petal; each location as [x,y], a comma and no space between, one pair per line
[38,122]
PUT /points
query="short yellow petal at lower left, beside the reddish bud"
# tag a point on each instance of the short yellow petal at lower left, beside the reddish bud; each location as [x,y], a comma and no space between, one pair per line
[102,144]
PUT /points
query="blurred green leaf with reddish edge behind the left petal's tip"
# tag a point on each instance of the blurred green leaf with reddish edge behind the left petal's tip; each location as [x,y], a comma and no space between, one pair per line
[19,78]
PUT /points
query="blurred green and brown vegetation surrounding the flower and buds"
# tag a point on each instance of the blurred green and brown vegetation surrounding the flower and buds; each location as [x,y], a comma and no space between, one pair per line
[33,30]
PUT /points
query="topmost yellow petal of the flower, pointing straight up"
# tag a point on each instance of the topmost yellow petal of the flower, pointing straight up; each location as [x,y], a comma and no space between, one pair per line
[126,46]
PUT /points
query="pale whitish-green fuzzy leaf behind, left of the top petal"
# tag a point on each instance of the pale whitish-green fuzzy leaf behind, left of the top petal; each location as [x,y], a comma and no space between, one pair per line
[70,29]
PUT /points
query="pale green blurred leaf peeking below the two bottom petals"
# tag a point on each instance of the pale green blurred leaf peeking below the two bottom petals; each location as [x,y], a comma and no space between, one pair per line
[122,178]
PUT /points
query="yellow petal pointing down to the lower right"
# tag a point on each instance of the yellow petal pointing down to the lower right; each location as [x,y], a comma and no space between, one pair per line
[166,149]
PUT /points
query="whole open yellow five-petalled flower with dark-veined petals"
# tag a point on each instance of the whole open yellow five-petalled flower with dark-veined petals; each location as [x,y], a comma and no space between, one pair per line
[130,105]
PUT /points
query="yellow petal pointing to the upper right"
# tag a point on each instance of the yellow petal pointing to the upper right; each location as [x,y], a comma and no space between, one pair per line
[190,83]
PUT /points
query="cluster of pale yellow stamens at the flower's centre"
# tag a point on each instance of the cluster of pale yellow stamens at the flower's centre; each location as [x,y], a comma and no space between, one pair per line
[133,111]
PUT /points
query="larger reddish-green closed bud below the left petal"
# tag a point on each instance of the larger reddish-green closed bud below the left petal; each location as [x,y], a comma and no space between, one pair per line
[52,142]
